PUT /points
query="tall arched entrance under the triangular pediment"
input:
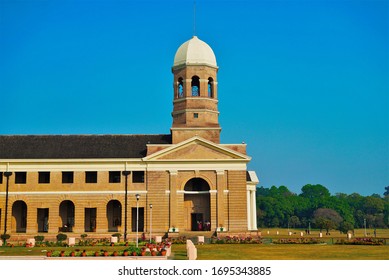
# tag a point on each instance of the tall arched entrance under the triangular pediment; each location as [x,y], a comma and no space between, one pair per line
[197,205]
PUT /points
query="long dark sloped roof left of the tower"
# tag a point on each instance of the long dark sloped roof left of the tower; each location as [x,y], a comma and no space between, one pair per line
[78,146]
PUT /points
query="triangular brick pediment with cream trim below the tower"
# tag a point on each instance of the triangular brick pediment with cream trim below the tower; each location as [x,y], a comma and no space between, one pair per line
[196,148]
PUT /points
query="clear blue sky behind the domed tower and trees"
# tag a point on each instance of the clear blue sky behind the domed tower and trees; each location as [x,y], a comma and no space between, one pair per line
[303,83]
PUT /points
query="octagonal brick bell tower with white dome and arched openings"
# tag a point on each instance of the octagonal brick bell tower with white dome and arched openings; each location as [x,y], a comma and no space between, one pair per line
[195,110]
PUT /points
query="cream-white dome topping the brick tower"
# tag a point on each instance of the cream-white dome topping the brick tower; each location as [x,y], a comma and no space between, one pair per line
[194,51]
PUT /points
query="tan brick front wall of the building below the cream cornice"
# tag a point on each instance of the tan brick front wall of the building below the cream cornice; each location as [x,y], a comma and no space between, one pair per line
[164,189]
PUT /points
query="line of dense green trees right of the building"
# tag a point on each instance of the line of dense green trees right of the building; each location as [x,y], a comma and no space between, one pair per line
[316,207]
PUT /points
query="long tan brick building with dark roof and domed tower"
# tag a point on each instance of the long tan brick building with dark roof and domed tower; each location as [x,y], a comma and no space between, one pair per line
[183,181]
